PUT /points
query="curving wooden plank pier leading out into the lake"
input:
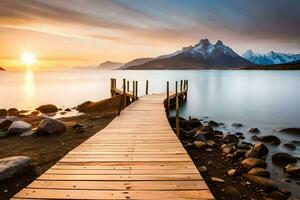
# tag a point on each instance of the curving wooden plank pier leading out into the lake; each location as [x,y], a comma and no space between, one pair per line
[137,156]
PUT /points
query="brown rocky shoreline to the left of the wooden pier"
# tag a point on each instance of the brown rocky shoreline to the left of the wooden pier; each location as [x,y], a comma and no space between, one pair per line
[31,142]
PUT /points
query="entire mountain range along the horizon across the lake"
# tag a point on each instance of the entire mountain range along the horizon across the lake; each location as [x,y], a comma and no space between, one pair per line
[205,55]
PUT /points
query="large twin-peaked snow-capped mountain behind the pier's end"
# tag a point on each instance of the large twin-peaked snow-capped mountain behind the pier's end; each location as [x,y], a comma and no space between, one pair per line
[203,55]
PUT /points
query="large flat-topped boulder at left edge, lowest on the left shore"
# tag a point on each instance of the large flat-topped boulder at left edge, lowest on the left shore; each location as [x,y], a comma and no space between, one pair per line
[12,166]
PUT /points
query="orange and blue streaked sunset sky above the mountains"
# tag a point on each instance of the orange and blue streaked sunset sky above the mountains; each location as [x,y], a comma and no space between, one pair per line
[68,33]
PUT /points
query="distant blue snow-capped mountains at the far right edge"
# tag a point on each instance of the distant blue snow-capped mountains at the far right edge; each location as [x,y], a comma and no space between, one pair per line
[270,58]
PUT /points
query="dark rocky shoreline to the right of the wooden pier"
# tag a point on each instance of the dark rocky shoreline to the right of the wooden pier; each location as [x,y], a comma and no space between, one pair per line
[232,167]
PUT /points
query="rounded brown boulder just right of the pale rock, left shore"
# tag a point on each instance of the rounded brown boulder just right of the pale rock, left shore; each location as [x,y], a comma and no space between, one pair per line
[50,127]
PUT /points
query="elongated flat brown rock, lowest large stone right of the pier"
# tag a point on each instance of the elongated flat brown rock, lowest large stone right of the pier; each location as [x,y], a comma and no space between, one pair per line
[266,184]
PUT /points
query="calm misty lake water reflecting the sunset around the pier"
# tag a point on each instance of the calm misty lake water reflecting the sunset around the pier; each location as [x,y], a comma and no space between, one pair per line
[268,100]
